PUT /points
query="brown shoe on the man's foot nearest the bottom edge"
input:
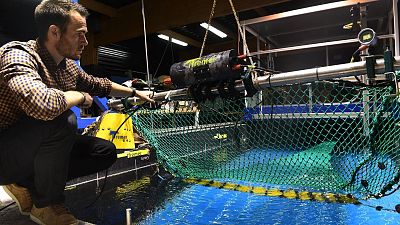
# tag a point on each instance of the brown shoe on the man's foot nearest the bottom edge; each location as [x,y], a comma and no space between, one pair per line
[53,215]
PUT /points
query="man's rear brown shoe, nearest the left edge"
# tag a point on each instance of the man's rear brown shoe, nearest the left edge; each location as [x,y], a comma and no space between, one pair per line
[21,196]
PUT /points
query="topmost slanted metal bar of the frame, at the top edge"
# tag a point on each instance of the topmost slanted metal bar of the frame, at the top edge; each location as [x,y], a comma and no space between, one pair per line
[306,10]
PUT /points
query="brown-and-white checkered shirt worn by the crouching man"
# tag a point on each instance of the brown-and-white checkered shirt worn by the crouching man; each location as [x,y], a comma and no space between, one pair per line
[32,84]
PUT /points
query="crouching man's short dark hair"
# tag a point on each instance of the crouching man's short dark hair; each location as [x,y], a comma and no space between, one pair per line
[55,12]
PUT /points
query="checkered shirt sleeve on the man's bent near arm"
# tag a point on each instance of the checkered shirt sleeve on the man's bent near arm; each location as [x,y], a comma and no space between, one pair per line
[19,70]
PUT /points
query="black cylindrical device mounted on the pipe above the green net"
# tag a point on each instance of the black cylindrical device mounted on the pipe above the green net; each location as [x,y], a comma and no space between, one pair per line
[217,71]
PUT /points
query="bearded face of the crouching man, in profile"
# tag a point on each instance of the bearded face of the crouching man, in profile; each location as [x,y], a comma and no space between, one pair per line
[73,40]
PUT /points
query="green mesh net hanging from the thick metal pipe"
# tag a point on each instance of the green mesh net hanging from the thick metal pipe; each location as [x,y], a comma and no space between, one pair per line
[323,136]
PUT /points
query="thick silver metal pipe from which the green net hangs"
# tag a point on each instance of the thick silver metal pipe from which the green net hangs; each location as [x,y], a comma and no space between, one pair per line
[282,79]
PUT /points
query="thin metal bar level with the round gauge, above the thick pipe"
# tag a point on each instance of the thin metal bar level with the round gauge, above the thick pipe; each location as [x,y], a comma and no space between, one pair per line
[316,45]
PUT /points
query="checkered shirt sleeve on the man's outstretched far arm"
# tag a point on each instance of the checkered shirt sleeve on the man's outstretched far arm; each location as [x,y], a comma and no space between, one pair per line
[95,86]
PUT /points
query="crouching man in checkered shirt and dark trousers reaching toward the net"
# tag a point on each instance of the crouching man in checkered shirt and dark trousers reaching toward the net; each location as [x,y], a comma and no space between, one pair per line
[39,83]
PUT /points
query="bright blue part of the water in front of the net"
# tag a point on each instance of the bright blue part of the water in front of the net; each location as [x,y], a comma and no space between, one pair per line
[207,205]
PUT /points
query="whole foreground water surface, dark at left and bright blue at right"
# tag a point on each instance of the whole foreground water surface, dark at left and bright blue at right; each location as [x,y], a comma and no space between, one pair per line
[176,202]
